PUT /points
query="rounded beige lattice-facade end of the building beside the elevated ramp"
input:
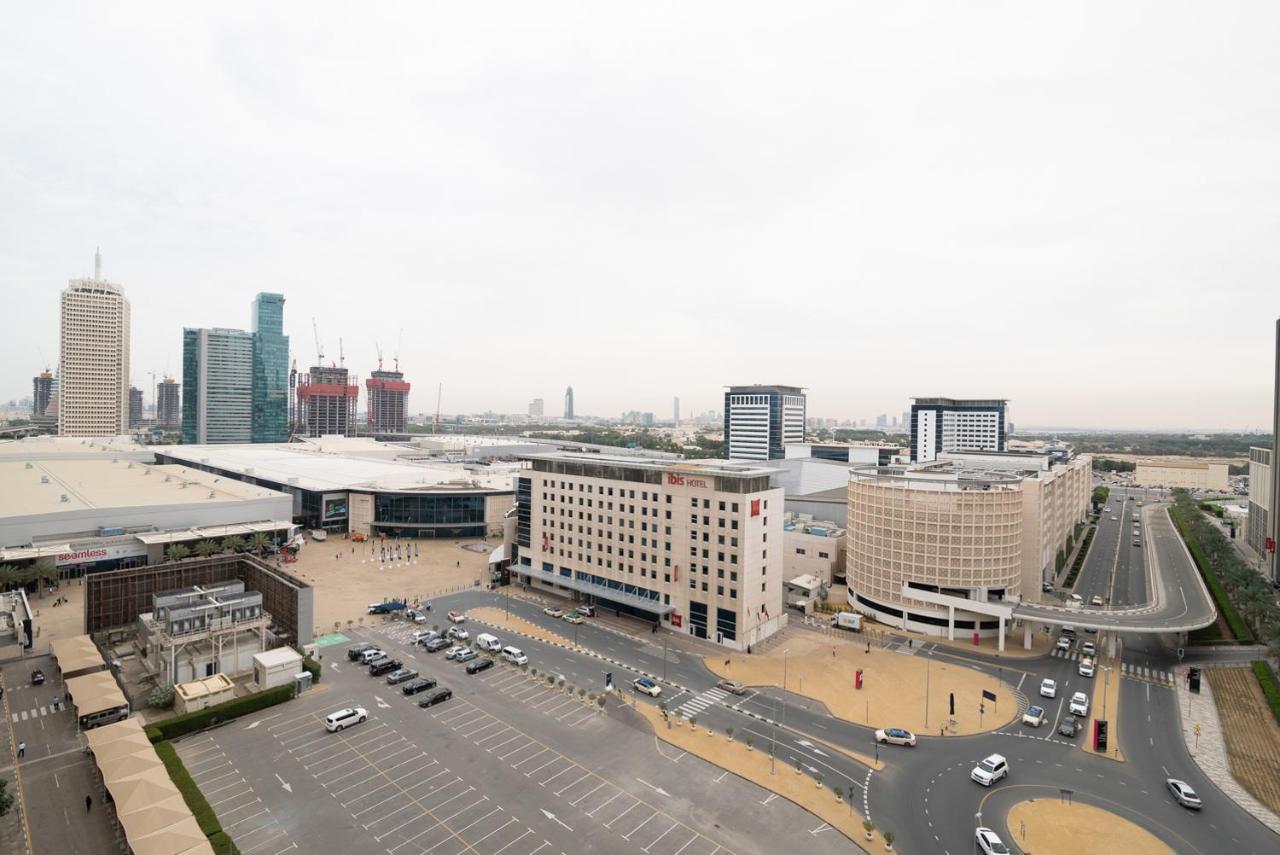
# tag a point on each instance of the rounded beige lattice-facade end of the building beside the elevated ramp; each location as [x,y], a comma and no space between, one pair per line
[952,536]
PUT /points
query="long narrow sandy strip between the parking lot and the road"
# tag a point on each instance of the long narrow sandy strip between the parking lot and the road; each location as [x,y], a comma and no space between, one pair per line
[755,767]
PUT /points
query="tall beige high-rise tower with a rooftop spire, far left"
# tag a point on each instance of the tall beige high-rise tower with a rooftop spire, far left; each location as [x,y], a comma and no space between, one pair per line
[94,359]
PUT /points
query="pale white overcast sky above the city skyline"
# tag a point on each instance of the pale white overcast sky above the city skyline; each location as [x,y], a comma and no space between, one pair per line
[1072,207]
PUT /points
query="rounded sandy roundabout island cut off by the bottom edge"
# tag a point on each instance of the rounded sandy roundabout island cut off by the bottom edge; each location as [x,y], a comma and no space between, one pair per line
[1055,827]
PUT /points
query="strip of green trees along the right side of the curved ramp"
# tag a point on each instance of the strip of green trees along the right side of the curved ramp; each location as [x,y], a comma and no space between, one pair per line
[1247,591]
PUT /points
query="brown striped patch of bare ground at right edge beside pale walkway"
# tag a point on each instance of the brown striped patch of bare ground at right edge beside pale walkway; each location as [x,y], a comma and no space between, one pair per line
[1251,733]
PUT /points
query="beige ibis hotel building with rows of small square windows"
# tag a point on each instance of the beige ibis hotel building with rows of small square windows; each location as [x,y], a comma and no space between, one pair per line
[696,545]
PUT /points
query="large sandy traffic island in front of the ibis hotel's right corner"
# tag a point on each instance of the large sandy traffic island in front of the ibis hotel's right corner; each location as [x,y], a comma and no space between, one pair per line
[893,693]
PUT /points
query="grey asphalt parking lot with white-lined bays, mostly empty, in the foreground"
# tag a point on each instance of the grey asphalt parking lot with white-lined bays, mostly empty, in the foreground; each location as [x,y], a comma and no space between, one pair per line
[509,766]
